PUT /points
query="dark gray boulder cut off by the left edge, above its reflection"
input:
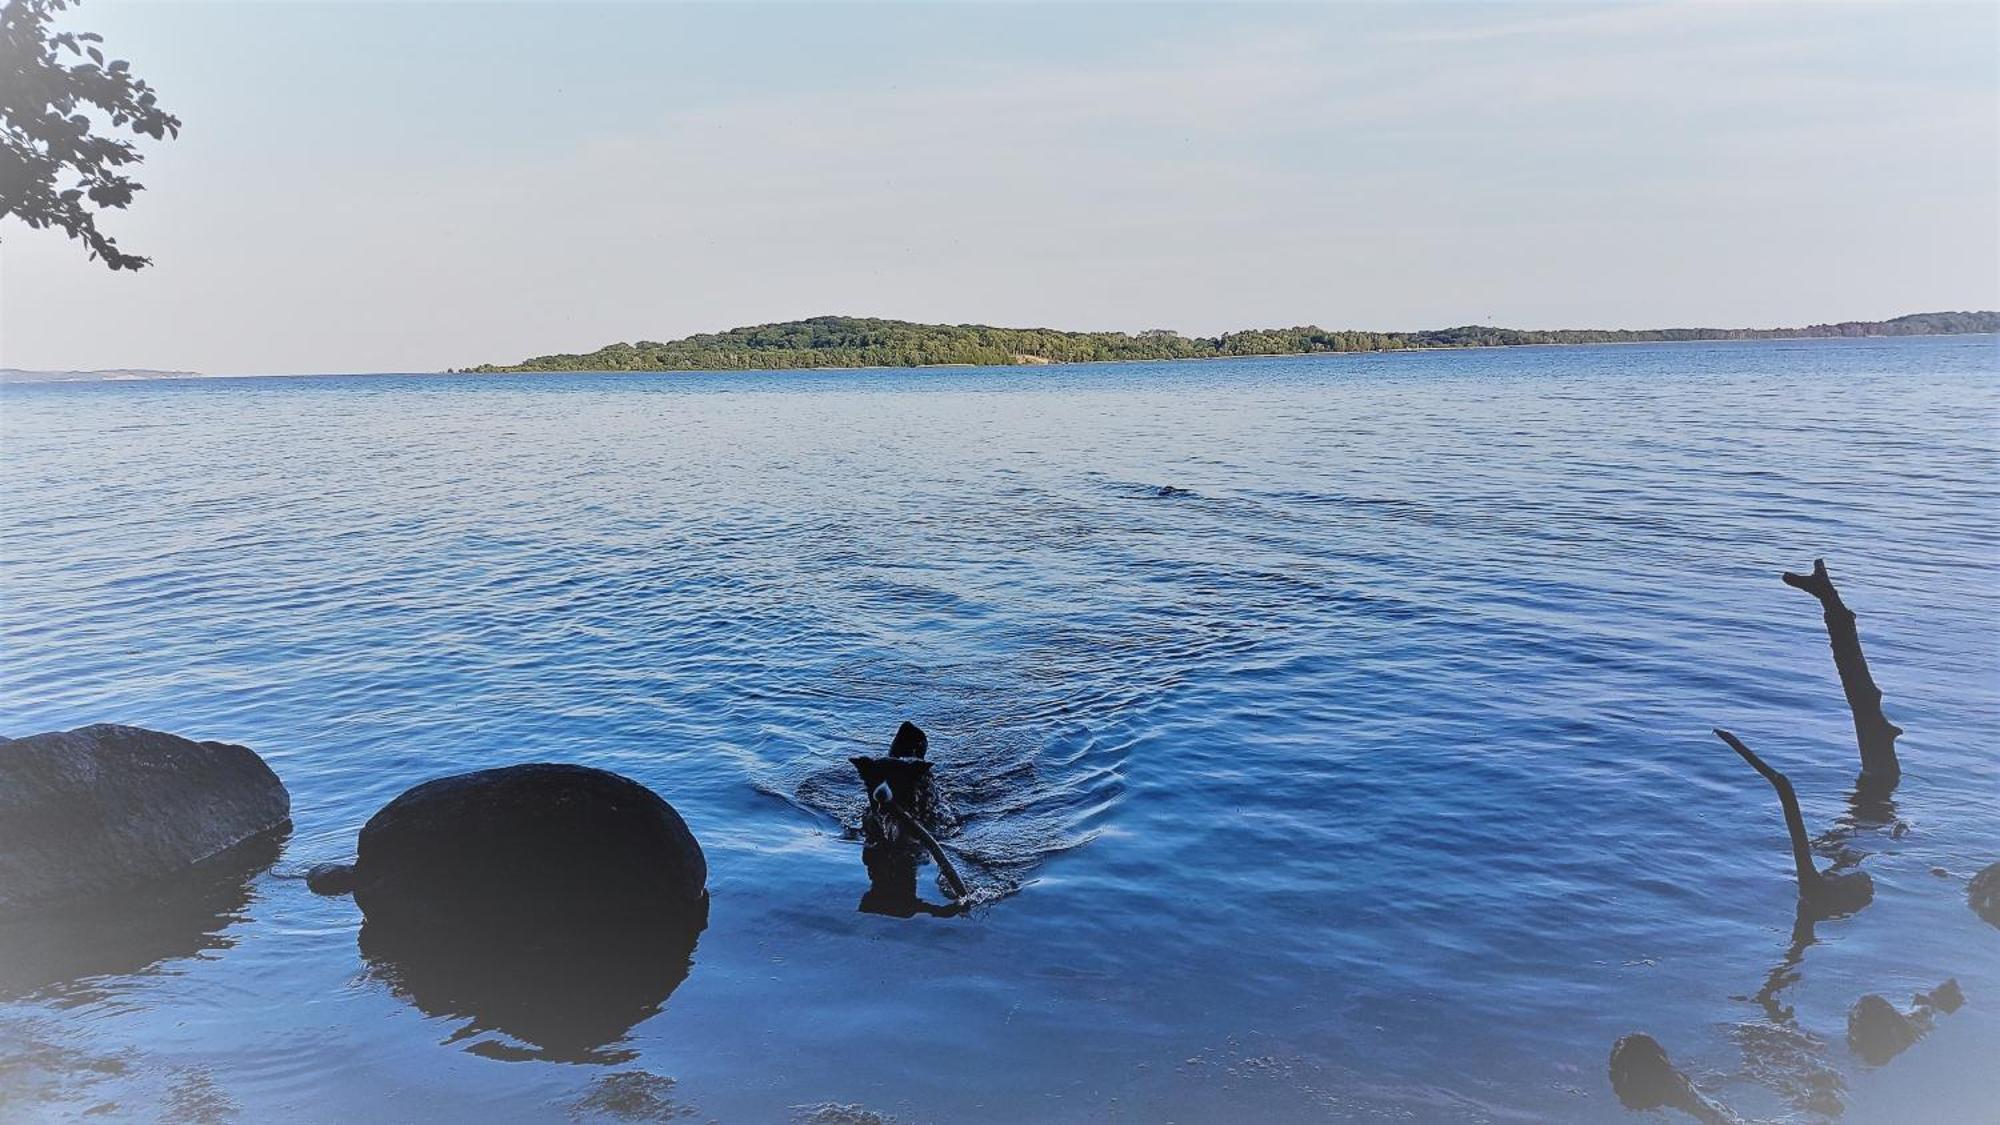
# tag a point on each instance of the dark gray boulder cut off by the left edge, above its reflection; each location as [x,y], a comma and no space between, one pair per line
[109,808]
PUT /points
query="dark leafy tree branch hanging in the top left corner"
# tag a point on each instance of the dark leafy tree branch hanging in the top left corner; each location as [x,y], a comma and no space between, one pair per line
[55,167]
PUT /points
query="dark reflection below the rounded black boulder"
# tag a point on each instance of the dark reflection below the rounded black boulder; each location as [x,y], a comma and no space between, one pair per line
[563,994]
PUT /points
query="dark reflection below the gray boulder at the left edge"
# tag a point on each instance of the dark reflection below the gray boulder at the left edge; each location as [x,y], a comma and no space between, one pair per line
[65,950]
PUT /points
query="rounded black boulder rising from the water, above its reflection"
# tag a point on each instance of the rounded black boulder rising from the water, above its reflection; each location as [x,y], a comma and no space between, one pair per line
[525,852]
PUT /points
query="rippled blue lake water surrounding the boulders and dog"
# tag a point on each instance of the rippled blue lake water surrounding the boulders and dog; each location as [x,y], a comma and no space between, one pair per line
[1331,734]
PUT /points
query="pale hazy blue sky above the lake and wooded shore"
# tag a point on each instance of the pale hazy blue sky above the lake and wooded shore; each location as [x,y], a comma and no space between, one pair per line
[407,187]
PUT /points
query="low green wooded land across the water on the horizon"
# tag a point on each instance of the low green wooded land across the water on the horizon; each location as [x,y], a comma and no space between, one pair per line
[865,341]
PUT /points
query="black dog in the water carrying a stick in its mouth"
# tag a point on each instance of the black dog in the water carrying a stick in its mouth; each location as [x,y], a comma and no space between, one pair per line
[897,830]
